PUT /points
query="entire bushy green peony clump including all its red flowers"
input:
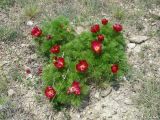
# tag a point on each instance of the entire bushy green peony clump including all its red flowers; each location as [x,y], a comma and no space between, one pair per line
[96,56]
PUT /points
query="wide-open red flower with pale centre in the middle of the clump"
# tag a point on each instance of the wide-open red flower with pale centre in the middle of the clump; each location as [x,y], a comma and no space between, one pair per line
[82,66]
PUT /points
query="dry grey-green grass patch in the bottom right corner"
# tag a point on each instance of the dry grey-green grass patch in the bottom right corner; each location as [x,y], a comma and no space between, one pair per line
[149,100]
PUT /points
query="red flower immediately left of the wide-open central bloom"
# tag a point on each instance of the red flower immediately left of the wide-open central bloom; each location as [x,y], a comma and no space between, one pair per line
[59,63]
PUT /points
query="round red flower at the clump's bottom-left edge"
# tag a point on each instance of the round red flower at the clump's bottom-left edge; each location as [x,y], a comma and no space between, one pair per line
[50,92]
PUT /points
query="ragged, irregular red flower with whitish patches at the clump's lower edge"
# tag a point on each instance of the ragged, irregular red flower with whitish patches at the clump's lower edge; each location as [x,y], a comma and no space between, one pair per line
[75,89]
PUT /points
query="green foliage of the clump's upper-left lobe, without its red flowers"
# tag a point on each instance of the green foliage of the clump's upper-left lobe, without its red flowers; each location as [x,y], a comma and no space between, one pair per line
[61,33]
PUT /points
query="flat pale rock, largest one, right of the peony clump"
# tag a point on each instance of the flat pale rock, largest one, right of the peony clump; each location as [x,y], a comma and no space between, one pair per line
[138,39]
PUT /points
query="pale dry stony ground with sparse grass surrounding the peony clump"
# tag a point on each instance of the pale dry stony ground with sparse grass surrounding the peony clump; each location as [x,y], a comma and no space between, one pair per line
[25,100]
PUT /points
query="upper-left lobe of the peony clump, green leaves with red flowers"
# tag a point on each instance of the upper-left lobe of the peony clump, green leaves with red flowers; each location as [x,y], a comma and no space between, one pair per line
[52,35]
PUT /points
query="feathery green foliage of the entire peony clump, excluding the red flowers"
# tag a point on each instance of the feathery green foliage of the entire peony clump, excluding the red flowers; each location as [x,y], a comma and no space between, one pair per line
[78,47]
